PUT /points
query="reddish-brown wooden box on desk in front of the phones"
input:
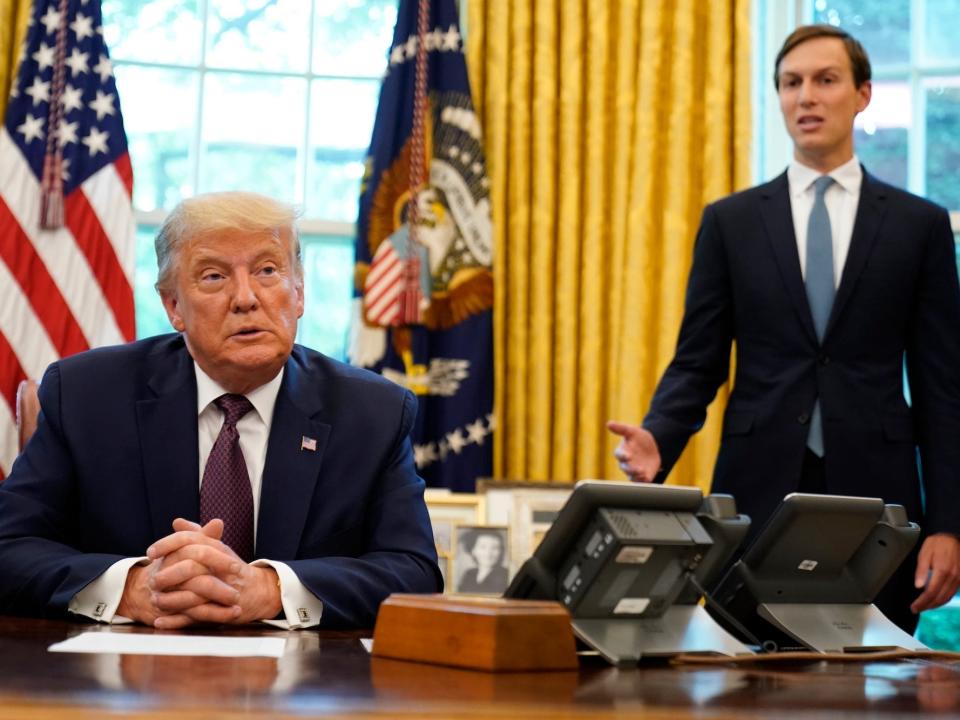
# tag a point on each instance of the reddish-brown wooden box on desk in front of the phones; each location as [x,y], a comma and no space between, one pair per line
[478,633]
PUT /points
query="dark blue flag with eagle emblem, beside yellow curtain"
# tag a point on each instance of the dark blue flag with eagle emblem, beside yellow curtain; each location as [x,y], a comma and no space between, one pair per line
[424,282]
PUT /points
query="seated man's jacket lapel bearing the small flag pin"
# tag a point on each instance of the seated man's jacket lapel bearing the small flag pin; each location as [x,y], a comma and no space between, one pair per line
[291,470]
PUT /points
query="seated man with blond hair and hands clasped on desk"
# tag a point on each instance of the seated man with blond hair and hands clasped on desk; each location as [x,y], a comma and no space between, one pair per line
[223,474]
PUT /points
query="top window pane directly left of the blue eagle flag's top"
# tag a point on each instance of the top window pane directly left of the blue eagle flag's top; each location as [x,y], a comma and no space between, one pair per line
[353,38]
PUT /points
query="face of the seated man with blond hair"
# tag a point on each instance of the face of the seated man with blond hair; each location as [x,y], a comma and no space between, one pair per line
[236,298]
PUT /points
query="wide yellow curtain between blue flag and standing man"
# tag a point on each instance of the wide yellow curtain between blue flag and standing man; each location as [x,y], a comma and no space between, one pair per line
[608,126]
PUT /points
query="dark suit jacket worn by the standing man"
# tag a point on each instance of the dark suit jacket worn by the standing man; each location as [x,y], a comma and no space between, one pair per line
[898,299]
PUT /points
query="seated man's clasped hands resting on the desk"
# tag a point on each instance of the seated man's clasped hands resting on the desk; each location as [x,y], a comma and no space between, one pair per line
[193,577]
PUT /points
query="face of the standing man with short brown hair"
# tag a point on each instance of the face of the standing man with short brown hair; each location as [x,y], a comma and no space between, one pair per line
[819,101]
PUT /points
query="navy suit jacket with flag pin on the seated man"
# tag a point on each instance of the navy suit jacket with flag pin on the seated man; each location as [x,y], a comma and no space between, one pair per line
[115,459]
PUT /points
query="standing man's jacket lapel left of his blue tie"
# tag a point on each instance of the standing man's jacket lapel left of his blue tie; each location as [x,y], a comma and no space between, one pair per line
[778,222]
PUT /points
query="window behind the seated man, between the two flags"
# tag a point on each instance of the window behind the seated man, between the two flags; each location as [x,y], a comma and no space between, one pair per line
[276,96]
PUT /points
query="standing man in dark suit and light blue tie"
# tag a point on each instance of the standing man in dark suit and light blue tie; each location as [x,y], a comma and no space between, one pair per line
[829,281]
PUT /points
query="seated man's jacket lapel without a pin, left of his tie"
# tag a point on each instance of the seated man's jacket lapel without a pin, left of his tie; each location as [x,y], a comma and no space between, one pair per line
[167,427]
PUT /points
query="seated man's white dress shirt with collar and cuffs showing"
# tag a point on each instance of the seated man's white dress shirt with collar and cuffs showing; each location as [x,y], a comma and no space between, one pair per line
[99,599]
